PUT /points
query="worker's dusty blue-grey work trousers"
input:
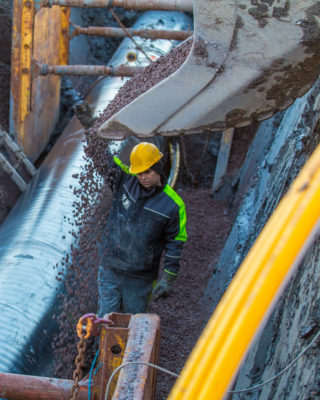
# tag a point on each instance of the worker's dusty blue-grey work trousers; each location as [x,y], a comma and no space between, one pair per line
[122,293]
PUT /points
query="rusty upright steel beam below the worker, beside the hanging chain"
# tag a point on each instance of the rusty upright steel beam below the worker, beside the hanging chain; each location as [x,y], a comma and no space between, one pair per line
[133,338]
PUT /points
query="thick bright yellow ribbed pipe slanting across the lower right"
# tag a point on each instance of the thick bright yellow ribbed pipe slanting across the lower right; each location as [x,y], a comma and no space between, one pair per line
[218,353]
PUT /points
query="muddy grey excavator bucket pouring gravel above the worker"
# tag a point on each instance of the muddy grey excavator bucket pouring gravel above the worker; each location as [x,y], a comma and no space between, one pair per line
[249,59]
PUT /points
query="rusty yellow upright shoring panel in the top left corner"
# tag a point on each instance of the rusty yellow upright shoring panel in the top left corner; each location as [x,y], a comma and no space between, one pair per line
[35,100]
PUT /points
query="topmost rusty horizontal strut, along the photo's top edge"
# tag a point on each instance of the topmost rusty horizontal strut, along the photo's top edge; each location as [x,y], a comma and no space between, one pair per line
[169,5]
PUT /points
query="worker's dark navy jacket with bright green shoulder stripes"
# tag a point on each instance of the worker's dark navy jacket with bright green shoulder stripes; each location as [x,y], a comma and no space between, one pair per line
[141,224]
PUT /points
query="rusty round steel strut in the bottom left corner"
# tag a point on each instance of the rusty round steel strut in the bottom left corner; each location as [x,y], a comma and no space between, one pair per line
[17,387]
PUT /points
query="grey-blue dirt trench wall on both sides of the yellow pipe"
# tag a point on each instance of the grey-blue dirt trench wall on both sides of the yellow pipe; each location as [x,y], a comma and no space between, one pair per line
[280,149]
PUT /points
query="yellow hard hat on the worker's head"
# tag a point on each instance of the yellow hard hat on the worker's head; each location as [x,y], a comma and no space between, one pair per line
[143,156]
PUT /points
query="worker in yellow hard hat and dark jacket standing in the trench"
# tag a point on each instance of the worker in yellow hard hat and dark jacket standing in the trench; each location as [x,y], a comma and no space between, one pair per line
[146,218]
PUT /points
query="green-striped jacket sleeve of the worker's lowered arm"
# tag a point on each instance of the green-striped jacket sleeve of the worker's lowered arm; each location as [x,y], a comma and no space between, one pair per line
[175,236]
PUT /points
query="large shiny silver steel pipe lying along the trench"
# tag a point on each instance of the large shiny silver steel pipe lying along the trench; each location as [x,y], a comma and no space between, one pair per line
[36,234]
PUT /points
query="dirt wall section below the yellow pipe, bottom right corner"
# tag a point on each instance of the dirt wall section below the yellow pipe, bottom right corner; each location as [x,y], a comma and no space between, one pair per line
[293,325]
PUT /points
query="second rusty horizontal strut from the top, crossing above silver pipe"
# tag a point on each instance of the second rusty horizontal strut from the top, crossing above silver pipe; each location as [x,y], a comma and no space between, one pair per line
[119,32]
